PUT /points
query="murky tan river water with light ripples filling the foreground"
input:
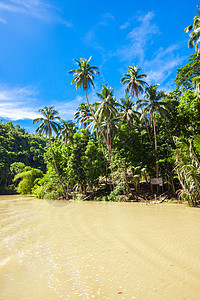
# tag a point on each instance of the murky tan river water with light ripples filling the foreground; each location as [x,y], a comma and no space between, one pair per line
[87,250]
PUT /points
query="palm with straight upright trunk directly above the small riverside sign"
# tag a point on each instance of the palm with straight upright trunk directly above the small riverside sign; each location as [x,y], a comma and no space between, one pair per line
[153,105]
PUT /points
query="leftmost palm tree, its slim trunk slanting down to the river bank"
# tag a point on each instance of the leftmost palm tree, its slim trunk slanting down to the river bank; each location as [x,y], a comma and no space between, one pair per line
[48,125]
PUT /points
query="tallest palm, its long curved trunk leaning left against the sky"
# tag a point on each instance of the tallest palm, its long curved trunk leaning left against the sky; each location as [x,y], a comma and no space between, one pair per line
[84,76]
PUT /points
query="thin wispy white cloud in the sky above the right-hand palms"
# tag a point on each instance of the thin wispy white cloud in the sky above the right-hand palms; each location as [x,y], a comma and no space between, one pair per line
[164,61]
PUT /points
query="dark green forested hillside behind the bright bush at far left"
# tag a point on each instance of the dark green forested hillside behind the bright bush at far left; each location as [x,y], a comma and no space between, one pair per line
[17,146]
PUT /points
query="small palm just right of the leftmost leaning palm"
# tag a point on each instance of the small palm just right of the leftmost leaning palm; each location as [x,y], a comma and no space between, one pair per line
[67,130]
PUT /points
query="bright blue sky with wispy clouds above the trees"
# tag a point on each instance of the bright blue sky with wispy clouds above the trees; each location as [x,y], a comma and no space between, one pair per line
[39,40]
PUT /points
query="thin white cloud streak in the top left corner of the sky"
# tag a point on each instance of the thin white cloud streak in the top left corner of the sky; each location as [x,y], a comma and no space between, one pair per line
[35,8]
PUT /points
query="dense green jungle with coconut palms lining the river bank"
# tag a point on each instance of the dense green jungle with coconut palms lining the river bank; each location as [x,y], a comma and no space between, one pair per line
[114,147]
